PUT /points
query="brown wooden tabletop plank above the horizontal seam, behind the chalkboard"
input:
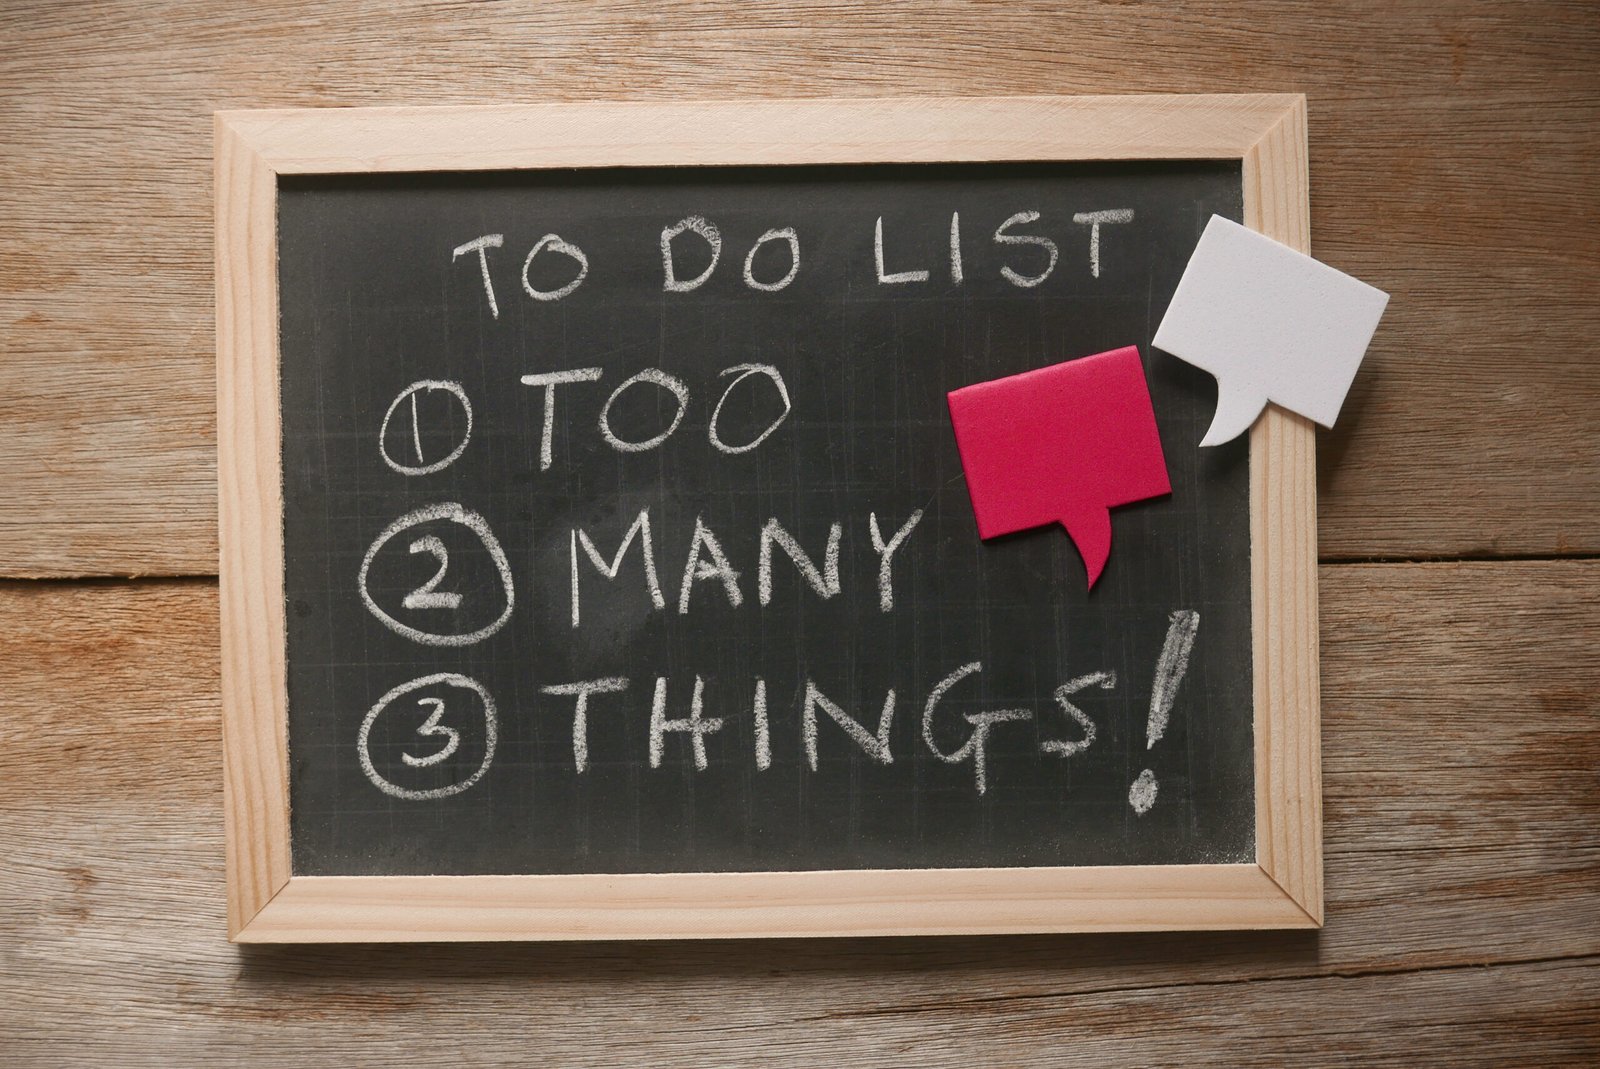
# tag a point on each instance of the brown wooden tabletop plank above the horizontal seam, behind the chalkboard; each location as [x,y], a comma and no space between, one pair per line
[1452,150]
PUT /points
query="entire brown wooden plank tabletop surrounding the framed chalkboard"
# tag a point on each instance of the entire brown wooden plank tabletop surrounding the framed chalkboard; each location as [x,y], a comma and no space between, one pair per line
[1455,154]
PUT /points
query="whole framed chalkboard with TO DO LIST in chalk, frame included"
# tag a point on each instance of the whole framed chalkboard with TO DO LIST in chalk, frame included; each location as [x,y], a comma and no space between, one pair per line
[402,294]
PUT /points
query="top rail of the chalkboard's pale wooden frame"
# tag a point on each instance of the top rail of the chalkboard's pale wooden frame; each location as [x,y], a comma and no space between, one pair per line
[759,134]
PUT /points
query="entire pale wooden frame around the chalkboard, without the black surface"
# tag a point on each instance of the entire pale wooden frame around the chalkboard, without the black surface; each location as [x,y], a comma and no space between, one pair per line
[271,905]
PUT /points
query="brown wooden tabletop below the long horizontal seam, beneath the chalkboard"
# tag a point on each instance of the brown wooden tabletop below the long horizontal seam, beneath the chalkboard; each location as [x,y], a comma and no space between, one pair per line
[1463,870]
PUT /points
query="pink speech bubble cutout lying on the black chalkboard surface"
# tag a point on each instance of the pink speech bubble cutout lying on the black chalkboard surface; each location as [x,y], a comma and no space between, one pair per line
[1062,446]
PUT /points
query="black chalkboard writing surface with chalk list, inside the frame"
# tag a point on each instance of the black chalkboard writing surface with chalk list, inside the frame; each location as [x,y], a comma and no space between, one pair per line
[439,511]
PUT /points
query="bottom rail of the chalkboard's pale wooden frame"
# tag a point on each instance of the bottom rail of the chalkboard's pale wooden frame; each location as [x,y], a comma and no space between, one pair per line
[774,905]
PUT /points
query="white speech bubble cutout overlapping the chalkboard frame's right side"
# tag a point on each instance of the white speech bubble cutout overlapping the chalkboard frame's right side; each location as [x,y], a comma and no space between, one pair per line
[1271,324]
